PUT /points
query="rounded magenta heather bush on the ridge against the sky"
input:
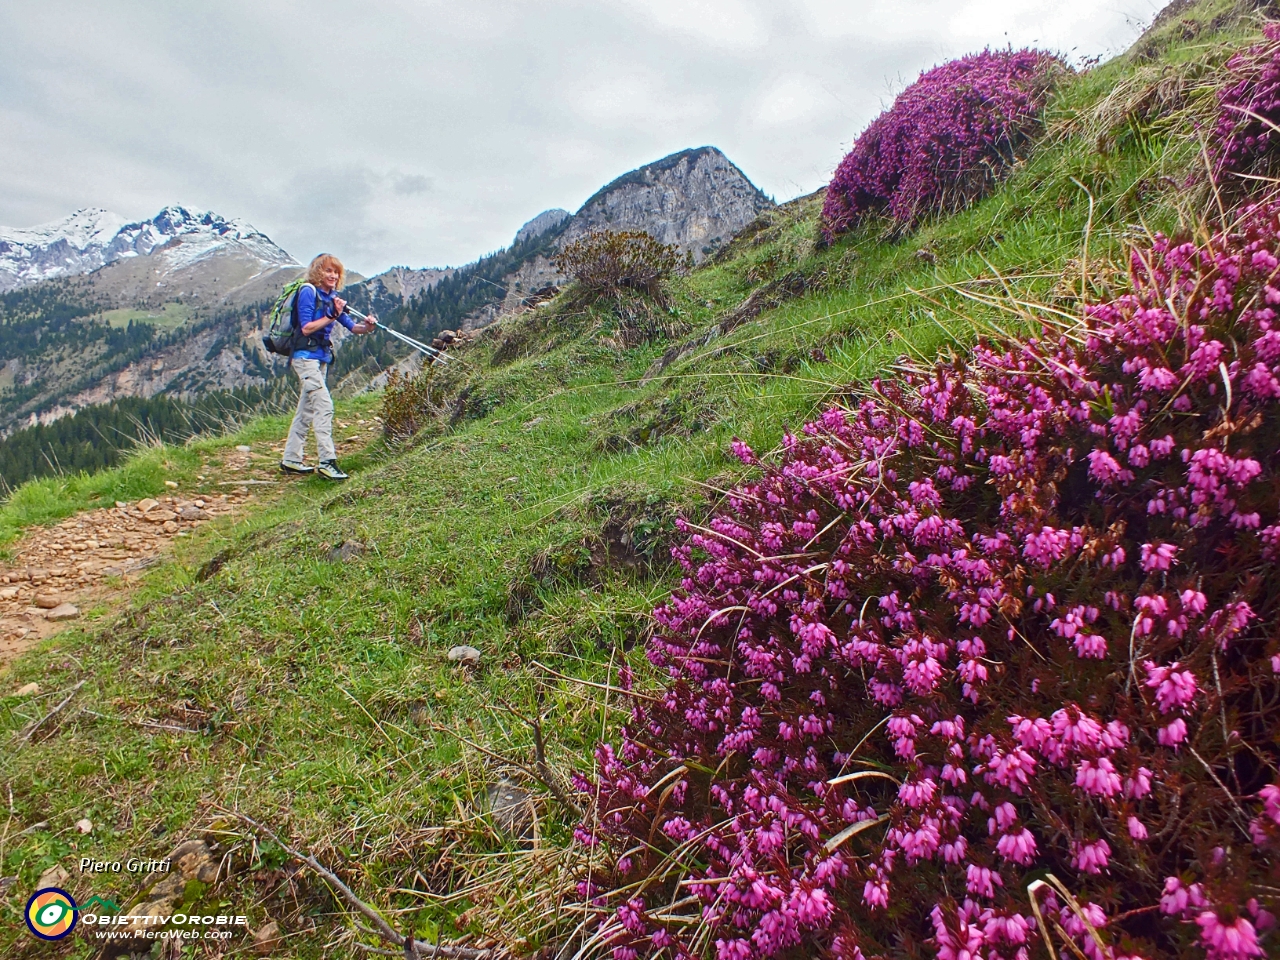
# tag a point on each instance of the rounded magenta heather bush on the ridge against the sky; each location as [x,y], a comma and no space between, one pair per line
[945,141]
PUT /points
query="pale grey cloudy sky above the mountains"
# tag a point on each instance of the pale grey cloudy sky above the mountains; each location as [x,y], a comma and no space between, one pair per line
[426,134]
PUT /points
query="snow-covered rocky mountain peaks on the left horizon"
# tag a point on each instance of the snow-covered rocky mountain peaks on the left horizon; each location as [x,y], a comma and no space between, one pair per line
[93,239]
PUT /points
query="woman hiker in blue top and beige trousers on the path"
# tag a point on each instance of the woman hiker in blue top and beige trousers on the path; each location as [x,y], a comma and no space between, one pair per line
[316,312]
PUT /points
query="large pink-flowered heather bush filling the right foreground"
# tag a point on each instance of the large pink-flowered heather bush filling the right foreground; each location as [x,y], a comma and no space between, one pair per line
[989,659]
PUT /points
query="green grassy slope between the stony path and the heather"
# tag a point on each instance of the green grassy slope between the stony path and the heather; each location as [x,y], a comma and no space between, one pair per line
[531,520]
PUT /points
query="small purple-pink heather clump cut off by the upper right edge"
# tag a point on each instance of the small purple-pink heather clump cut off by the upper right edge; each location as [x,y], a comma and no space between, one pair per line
[1241,138]
